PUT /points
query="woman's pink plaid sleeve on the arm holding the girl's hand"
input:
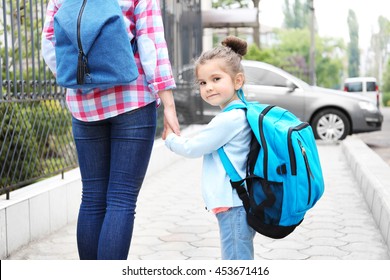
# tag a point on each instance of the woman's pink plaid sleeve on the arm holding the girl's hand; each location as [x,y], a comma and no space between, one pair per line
[152,46]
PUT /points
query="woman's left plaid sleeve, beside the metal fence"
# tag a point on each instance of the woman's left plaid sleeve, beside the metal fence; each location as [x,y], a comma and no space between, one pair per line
[48,39]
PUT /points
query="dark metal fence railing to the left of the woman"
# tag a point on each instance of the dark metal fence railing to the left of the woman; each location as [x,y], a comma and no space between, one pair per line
[35,125]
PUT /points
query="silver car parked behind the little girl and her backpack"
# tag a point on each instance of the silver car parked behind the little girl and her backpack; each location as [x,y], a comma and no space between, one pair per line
[332,114]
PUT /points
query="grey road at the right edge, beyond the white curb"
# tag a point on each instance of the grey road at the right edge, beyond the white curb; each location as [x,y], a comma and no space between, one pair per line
[379,141]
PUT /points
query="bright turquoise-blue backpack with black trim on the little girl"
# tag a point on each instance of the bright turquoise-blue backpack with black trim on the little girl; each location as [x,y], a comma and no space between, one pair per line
[284,177]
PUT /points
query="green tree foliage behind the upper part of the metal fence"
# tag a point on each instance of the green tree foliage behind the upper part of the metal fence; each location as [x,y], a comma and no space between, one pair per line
[19,57]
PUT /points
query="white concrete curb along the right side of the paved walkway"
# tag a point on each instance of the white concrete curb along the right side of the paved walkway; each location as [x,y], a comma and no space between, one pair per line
[373,177]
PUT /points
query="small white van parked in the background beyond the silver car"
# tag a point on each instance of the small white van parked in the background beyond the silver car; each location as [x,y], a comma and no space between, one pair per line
[366,86]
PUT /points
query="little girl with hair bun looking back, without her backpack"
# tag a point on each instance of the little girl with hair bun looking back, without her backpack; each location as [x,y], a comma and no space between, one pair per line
[220,75]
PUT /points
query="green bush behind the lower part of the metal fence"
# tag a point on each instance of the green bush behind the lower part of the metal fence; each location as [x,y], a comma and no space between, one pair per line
[35,141]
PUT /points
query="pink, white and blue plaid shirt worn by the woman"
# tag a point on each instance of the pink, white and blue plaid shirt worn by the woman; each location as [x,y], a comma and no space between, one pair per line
[143,21]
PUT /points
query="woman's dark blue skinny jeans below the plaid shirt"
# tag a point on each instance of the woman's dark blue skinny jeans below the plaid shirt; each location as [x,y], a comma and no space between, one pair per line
[113,157]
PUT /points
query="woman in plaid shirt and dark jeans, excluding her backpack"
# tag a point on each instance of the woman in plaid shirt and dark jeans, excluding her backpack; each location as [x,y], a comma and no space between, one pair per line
[114,132]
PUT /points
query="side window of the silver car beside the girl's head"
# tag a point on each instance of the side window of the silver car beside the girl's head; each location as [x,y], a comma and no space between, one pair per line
[257,76]
